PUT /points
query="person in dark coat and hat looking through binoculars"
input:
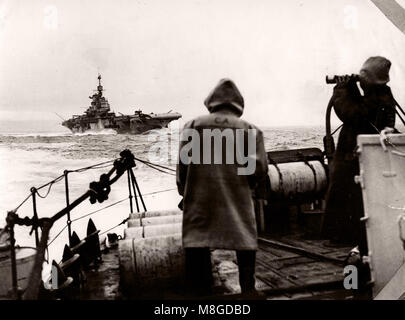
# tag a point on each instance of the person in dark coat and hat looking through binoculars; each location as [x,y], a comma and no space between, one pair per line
[361,114]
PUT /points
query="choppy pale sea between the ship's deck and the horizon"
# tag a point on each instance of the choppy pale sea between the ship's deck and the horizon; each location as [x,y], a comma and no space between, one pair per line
[31,158]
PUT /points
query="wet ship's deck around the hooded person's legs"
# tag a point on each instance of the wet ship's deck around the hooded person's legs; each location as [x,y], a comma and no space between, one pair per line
[287,267]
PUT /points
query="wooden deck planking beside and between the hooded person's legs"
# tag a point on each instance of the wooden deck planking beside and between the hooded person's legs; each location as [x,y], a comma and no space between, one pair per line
[275,269]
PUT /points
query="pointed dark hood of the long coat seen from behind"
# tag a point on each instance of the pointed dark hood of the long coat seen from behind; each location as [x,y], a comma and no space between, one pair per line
[225,93]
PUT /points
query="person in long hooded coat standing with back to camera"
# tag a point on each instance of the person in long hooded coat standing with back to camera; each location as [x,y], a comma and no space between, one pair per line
[218,208]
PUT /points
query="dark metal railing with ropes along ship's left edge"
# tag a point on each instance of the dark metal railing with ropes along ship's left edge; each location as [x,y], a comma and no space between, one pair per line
[97,192]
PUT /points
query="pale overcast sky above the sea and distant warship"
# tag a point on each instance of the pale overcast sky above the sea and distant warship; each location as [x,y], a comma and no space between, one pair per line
[161,55]
